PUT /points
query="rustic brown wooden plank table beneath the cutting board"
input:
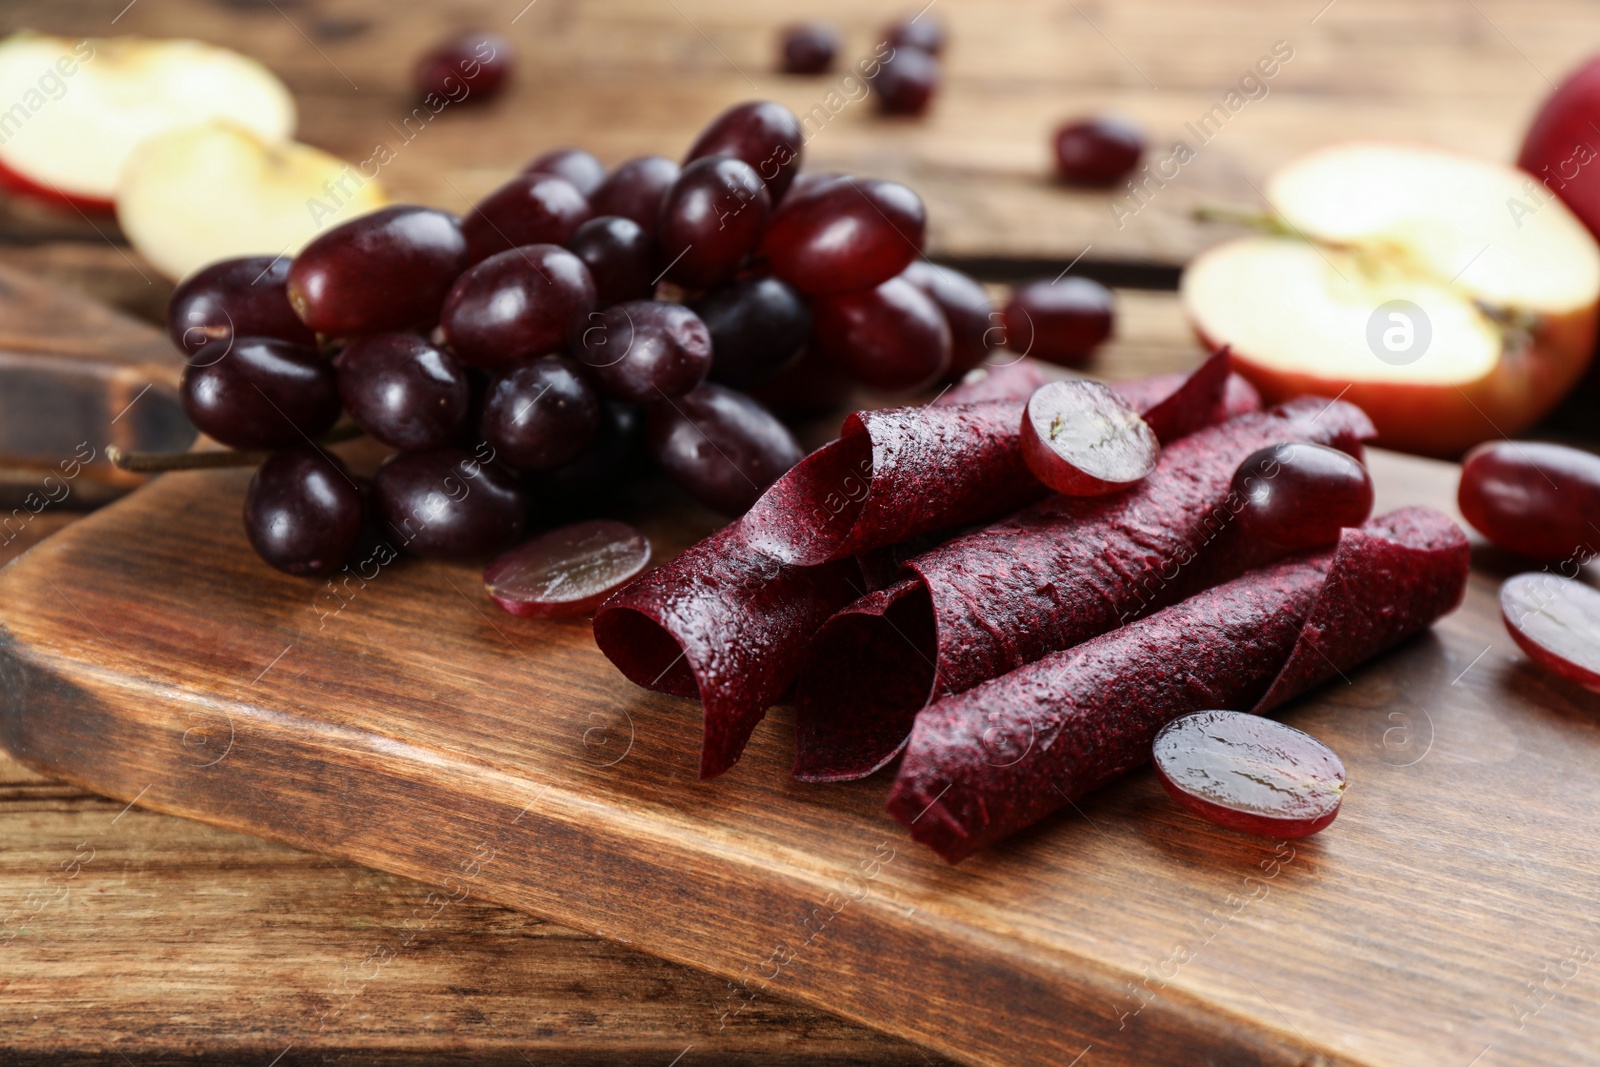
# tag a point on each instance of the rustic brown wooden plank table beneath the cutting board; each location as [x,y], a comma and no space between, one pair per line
[154,940]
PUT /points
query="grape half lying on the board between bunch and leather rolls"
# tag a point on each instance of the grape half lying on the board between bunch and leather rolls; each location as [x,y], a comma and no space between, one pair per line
[567,572]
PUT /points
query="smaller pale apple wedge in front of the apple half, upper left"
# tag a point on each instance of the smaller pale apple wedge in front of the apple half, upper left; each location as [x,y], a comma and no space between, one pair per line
[218,191]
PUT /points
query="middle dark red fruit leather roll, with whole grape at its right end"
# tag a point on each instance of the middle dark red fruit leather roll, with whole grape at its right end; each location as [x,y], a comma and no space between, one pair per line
[1047,578]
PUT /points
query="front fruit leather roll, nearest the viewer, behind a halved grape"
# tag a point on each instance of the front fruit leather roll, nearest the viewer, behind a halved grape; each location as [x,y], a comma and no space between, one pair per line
[1006,754]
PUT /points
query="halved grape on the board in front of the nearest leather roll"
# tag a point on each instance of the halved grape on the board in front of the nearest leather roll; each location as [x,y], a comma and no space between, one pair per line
[1250,773]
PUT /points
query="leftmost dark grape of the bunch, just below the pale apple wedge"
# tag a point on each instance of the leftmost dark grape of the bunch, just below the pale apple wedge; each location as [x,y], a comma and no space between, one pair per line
[246,298]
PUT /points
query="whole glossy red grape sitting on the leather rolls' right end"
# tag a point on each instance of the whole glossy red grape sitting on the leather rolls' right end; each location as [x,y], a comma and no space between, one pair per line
[1302,497]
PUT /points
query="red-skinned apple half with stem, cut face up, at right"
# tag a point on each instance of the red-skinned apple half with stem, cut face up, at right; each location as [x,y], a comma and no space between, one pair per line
[1415,284]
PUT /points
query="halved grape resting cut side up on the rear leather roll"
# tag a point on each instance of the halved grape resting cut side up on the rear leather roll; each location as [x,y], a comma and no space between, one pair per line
[1082,439]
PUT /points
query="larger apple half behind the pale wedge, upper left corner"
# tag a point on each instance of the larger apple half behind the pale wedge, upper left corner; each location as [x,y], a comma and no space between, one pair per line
[79,108]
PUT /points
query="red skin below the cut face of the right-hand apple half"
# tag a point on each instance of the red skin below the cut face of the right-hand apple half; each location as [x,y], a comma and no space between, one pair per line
[1446,420]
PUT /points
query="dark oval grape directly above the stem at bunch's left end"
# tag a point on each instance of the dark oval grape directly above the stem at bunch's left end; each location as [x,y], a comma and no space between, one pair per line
[257,393]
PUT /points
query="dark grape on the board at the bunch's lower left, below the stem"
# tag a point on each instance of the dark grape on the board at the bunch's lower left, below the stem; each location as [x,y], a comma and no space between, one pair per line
[303,513]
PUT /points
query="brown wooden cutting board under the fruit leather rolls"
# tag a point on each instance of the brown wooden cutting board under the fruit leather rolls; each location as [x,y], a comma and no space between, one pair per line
[410,725]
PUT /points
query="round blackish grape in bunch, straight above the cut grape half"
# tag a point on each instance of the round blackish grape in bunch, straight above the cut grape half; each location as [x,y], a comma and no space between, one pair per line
[540,415]
